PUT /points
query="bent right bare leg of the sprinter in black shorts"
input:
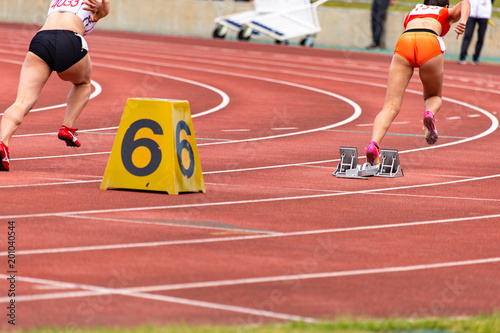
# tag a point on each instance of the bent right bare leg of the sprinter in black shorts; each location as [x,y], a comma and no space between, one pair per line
[79,74]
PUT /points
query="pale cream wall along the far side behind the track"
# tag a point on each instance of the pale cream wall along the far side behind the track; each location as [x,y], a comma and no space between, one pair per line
[340,27]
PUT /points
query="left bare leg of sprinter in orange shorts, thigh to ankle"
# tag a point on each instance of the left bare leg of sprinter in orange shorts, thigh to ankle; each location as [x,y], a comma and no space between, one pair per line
[400,74]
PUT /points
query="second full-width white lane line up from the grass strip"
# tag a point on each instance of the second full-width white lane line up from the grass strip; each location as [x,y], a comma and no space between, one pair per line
[246,237]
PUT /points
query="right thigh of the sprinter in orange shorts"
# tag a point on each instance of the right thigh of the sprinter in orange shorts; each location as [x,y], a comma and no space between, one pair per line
[431,75]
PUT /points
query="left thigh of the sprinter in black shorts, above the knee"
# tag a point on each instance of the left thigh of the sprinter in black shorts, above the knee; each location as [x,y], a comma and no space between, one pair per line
[34,74]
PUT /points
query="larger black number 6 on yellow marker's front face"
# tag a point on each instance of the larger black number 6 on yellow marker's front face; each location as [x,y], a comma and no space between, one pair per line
[129,145]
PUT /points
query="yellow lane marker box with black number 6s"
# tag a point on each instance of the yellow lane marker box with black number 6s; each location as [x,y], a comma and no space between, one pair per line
[155,149]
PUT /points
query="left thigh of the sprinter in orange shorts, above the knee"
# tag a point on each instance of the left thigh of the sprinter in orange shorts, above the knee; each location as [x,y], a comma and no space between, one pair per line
[400,74]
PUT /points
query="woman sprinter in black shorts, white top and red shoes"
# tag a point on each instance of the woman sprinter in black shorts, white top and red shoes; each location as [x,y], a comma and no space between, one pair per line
[59,46]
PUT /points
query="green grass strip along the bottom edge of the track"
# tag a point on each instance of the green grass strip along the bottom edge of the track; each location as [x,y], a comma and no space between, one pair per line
[475,324]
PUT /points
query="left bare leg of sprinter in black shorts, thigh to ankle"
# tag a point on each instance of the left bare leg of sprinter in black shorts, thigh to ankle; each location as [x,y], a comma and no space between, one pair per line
[34,74]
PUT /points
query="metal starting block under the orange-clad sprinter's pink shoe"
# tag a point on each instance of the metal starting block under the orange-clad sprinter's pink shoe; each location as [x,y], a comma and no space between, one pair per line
[349,167]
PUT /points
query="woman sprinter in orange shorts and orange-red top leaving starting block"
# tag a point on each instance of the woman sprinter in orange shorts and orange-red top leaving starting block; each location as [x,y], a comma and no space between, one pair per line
[421,46]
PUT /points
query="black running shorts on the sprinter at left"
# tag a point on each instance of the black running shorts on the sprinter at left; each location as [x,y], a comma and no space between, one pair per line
[60,49]
